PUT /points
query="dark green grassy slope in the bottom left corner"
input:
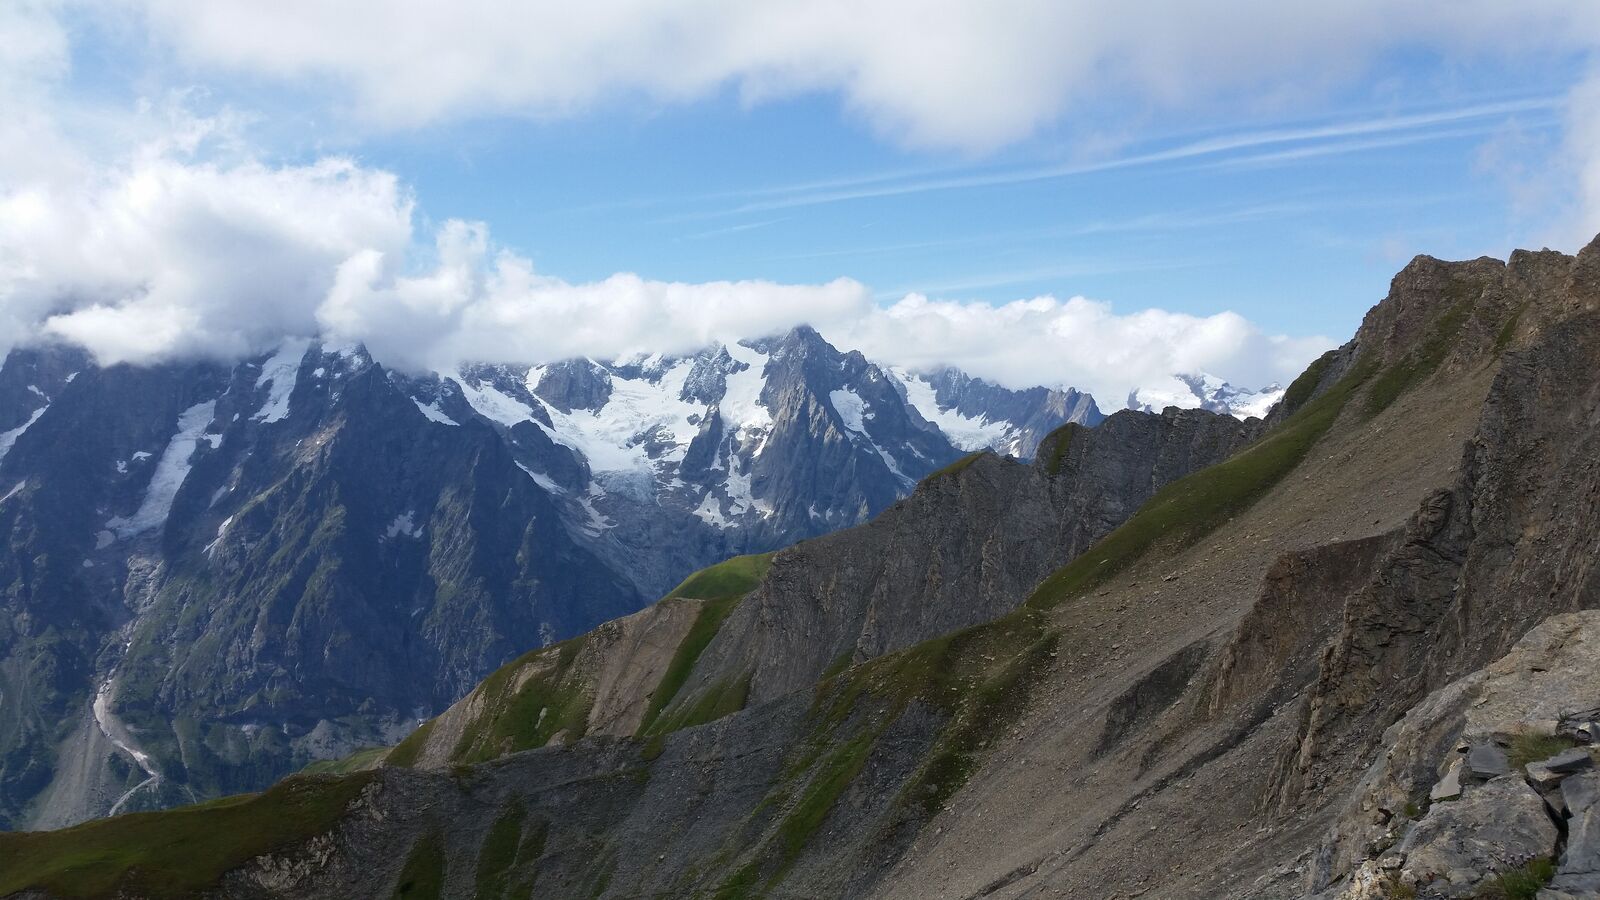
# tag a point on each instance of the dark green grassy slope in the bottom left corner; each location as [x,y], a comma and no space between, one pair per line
[174,853]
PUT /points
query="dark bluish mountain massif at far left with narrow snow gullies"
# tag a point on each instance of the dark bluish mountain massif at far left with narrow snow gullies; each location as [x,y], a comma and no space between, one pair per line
[217,576]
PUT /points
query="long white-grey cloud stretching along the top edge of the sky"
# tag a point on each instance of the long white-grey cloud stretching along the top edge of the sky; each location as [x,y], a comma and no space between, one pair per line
[969,74]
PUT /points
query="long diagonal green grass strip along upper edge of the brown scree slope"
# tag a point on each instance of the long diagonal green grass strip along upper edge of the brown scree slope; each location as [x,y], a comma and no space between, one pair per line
[1193,507]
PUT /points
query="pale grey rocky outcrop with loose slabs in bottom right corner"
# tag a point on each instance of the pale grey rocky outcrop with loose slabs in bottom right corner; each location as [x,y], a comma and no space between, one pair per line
[1490,777]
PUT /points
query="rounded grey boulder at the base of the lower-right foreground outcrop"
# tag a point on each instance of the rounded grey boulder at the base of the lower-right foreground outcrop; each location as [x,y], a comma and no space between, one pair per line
[1497,827]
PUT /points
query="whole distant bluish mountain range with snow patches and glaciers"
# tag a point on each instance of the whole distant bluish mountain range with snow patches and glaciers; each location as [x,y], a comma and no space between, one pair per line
[215,574]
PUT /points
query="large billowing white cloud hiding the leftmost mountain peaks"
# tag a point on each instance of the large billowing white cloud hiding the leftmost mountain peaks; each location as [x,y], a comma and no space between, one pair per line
[167,255]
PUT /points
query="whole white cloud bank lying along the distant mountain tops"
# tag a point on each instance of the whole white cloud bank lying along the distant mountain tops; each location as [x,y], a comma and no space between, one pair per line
[174,254]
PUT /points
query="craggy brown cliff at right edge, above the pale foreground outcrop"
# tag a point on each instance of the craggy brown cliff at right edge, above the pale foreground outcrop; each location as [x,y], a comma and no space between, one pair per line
[1511,542]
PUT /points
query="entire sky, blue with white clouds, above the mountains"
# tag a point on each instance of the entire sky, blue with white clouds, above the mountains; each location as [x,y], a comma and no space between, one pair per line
[1066,193]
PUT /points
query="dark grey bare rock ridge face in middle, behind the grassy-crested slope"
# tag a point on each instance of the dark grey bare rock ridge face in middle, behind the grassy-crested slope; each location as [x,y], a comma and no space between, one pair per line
[964,550]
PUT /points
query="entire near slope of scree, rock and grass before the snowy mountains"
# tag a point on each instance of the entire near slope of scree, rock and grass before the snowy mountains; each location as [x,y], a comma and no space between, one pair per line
[1202,704]
